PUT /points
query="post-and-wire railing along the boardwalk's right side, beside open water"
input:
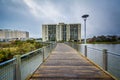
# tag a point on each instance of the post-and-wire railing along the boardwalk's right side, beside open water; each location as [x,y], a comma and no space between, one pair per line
[109,61]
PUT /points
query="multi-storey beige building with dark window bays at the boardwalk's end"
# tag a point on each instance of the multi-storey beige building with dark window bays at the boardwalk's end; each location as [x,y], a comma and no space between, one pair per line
[61,32]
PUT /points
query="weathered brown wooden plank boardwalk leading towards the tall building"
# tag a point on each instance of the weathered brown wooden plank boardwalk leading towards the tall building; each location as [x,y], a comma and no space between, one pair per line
[65,63]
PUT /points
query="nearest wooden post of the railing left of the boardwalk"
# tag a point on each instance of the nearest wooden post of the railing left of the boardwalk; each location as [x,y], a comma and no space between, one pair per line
[17,67]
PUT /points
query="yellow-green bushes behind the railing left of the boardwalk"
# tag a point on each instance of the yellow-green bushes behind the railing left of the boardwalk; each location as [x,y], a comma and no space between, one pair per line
[17,47]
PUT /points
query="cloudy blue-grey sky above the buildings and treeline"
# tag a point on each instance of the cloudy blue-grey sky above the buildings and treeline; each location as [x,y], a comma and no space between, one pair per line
[29,15]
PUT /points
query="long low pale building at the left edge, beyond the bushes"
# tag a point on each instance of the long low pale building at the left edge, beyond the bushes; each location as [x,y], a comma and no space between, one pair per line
[8,35]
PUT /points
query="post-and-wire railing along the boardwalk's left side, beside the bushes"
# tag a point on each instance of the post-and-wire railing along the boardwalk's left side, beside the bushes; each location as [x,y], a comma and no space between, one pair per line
[22,67]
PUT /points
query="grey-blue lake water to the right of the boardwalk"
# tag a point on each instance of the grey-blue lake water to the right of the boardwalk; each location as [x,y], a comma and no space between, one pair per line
[95,53]
